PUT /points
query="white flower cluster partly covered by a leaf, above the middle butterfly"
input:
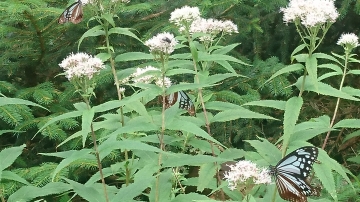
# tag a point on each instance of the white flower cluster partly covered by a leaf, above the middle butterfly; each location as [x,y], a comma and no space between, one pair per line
[143,75]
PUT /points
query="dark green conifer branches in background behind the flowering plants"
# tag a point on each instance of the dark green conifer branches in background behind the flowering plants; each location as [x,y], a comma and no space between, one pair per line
[33,44]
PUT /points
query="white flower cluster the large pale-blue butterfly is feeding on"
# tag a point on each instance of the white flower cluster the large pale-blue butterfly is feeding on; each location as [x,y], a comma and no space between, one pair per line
[243,171]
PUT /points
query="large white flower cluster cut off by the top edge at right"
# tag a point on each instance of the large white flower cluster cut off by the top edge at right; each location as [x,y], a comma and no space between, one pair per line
[310,12]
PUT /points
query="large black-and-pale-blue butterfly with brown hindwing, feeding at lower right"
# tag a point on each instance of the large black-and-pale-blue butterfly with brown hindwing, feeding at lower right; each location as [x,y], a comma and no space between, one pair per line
[291,173]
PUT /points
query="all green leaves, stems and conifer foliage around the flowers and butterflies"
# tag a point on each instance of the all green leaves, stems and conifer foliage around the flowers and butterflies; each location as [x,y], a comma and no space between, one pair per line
[258,94]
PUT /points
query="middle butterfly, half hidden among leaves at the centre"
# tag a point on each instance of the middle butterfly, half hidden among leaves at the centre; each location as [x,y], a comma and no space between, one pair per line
[183,99]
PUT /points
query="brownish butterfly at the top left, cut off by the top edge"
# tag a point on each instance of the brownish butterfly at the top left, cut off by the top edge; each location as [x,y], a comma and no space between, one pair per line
[73,13]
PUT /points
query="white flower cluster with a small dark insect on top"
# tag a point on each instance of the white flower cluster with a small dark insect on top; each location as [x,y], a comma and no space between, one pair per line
[162,43]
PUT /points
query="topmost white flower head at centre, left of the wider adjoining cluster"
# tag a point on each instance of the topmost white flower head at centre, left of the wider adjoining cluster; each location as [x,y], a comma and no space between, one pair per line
[183,17]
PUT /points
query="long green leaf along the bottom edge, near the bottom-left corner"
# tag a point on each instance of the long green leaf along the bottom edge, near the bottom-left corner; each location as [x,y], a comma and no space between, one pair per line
[28,193]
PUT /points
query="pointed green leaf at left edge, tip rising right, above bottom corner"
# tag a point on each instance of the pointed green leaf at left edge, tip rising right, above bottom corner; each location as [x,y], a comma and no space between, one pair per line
[9,155]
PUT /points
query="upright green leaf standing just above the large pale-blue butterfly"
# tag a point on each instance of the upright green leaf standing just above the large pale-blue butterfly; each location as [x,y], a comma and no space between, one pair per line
[291,115]
